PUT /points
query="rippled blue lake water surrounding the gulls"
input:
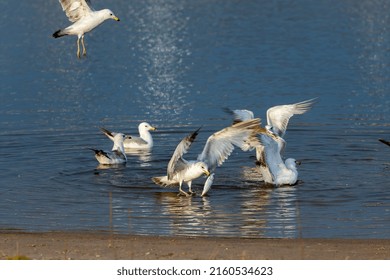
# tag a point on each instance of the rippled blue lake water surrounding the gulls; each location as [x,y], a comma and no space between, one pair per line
[176,64]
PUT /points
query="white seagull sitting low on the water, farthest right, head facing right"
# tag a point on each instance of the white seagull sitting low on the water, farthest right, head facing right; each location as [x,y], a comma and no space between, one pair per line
[282,173]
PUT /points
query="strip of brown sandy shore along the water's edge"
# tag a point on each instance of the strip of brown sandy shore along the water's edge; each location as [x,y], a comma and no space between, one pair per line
[63,245]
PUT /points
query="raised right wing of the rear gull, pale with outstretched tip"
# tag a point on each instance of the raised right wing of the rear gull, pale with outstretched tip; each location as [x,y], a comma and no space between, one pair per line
[279,116]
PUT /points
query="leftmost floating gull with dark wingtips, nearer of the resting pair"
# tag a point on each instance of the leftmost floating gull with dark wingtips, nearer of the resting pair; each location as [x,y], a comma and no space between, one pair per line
[116,156]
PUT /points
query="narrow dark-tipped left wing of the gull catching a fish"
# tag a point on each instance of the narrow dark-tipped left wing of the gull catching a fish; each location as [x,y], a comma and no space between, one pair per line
[177,163]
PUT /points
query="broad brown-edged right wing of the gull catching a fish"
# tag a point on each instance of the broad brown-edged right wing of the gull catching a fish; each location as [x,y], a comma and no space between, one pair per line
[221,144]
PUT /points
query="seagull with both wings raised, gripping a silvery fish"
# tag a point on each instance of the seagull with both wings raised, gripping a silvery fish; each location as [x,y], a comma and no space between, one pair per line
[217,149]
